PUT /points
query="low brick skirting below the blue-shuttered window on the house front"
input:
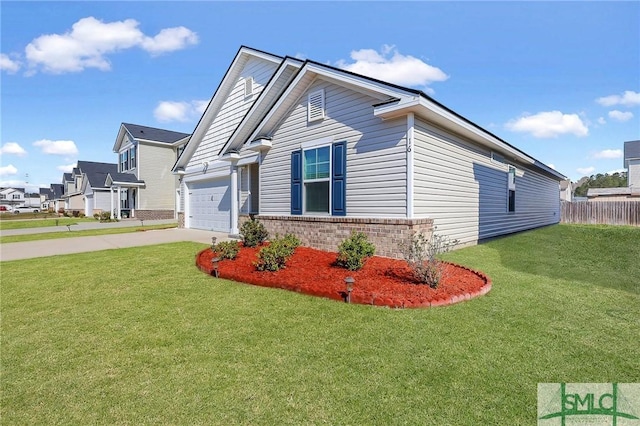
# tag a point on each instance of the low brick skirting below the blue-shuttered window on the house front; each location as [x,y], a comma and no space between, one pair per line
[326,233]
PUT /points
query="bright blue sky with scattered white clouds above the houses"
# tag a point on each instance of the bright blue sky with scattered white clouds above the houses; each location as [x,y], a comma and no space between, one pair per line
[559,80]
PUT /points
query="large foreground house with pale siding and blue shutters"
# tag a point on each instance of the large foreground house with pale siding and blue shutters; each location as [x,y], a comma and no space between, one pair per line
[319,151]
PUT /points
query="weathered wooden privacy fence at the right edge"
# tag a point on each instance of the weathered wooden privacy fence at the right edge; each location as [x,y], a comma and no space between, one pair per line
[601,212]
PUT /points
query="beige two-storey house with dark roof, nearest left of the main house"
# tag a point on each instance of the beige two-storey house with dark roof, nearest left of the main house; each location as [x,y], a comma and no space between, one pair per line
[144,178]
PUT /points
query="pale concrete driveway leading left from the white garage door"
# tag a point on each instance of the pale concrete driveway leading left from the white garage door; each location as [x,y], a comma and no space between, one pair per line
[43,248]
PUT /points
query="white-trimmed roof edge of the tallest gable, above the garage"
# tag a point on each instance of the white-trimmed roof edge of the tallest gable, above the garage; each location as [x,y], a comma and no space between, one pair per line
[219,97]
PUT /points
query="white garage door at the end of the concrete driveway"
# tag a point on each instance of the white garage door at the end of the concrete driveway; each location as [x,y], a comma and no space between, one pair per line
[210,205]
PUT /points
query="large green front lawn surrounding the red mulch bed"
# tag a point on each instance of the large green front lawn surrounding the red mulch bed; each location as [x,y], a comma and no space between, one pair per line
[140,336]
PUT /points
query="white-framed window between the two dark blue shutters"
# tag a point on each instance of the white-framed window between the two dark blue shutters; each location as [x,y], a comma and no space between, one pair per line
[317,180]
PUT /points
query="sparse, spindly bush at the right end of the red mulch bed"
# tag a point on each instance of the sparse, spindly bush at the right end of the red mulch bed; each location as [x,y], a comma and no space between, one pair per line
[422,254]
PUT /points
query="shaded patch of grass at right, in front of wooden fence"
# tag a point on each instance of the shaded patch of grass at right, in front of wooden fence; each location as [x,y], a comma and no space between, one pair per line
[605,256]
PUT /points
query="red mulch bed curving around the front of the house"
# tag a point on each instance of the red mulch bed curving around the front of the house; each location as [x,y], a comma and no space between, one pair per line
[382,281]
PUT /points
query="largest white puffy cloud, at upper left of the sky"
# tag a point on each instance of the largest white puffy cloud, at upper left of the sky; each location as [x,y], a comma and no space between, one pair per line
[91,40]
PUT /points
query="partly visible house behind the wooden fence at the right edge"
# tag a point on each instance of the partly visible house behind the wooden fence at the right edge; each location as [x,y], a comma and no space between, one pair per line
[631,192]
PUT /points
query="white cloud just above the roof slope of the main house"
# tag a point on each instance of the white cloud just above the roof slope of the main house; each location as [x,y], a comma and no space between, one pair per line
[390,65]
